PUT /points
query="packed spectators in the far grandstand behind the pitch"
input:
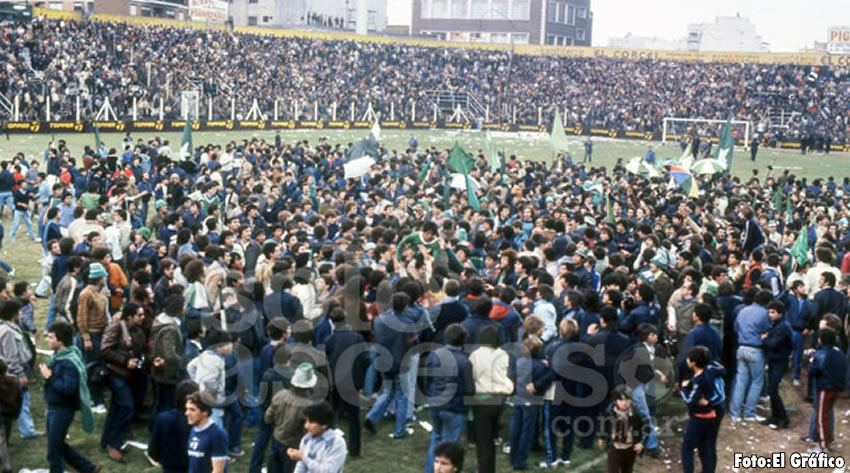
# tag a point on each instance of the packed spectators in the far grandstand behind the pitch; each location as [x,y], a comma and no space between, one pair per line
[95,60]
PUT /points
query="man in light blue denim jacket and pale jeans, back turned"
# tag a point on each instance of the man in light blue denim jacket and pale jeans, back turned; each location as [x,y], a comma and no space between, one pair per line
[750,324]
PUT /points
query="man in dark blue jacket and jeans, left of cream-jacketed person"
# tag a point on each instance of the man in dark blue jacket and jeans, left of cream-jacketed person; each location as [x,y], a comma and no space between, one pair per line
[450,381]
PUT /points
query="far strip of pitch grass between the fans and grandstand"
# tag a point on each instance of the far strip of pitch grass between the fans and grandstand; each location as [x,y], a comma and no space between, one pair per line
[531,146]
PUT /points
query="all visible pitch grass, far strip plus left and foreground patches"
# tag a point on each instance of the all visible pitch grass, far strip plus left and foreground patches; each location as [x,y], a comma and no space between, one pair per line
[380,454]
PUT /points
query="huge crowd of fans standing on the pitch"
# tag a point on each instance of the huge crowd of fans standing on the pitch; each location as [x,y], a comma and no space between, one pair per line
[261,278]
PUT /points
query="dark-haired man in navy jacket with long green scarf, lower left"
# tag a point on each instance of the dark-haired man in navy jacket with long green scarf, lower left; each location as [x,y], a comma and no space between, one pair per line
[65,390]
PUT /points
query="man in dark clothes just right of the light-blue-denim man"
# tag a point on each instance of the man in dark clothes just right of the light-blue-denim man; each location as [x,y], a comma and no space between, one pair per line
[777,350]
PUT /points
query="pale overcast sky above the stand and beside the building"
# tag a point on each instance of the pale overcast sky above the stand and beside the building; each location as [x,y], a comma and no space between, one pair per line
[787,25]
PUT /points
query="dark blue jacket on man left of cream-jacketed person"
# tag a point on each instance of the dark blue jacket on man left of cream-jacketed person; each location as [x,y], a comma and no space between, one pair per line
[450,379]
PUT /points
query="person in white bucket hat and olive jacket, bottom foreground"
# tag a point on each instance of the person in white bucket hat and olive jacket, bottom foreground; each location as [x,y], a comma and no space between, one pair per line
[285,416]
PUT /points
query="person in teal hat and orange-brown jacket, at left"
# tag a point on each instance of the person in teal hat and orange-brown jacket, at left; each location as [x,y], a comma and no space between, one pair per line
[92,320]
